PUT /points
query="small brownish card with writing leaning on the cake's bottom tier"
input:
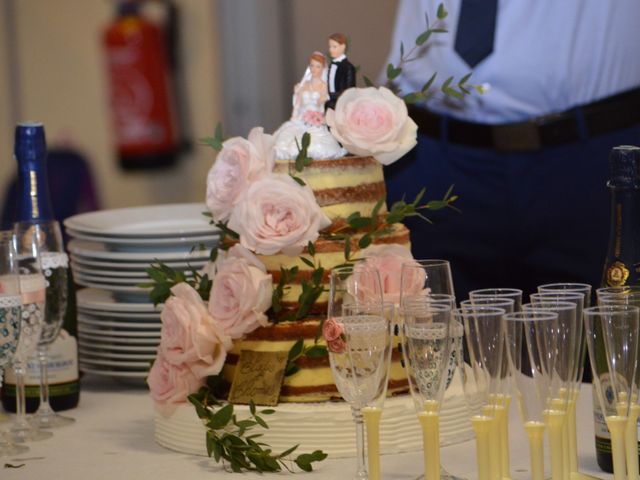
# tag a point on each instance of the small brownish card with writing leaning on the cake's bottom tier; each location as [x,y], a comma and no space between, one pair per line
[258,377]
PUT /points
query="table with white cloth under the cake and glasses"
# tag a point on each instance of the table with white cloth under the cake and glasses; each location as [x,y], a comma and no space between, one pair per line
[112,439]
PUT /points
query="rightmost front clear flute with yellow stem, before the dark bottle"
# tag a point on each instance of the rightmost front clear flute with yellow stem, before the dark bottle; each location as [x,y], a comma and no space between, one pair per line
[612,336]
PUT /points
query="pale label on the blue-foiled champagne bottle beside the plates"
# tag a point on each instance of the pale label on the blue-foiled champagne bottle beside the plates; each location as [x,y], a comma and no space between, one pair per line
[63,364]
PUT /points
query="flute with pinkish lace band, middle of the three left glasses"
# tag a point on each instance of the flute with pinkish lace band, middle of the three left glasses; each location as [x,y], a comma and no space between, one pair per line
[32,290]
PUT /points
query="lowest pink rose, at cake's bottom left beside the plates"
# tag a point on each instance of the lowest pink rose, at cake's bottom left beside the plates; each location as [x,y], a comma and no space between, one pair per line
[170,385]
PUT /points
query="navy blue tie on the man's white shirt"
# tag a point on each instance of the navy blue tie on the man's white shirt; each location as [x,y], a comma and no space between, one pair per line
[476,30]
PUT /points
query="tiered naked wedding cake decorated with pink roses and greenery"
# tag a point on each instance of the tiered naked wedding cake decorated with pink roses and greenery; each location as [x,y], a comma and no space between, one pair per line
[294,205]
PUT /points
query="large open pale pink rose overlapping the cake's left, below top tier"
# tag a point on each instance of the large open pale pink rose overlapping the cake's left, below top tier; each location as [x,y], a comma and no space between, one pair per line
[277,214]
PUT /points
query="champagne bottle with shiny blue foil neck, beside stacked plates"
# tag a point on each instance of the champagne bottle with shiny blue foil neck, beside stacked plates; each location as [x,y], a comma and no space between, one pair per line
[35,205]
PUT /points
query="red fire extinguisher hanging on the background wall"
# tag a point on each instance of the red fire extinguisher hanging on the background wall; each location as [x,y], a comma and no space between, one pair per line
[142,91]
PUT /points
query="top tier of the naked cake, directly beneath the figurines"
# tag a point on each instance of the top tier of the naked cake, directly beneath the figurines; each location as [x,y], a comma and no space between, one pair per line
[342,186]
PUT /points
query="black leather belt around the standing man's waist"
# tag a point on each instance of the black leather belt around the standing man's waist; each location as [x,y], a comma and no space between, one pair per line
[612,113]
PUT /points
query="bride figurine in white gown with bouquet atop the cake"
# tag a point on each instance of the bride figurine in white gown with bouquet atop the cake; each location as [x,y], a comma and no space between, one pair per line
[309,97]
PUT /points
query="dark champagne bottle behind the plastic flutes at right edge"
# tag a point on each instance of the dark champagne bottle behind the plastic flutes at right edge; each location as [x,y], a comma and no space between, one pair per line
[622,264]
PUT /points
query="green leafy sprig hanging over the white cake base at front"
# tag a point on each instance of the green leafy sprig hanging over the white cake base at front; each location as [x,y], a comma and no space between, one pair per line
[230,440]
